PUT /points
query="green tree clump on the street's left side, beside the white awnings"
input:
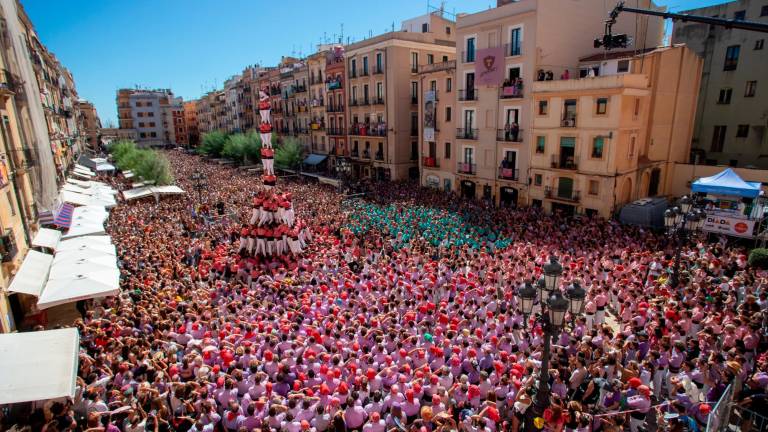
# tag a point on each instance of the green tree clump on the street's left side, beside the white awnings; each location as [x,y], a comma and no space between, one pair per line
[145,163]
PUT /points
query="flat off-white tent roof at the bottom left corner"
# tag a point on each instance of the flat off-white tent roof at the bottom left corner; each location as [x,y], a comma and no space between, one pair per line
[36,366]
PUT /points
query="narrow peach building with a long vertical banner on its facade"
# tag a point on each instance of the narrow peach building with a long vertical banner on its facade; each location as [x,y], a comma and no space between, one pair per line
[436,125]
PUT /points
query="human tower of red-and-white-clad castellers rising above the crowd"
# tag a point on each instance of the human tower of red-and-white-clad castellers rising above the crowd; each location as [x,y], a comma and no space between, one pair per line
[273,229]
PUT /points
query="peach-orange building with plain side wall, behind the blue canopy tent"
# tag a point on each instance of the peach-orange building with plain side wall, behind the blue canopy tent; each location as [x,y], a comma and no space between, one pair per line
[604,138]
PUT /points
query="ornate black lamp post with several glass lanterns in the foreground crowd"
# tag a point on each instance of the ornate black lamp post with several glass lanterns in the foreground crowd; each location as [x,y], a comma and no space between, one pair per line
[554,307]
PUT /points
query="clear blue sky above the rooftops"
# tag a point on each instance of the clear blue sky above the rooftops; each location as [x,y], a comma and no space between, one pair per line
[192,45]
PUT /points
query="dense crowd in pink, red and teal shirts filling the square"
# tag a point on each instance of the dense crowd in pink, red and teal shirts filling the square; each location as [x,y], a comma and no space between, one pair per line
[401,314]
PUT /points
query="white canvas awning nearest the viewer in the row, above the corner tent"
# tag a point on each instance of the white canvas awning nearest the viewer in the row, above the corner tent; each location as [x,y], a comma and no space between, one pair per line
[78,281]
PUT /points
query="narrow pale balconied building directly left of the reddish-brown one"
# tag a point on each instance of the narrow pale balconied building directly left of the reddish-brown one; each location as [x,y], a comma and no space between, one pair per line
[317,96]
